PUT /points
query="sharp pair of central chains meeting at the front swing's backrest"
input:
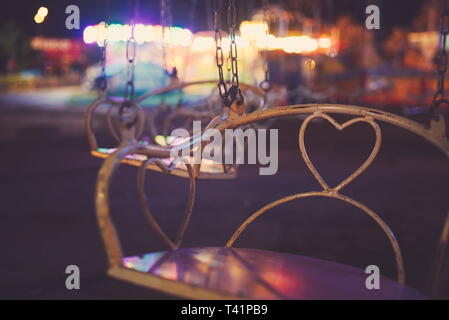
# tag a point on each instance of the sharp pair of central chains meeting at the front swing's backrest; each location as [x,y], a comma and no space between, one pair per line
[232,96]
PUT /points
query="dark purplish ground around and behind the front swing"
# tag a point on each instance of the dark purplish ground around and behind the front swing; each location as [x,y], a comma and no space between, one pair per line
[47,216]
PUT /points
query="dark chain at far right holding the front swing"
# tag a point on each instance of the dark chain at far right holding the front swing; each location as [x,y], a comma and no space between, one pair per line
[442,63]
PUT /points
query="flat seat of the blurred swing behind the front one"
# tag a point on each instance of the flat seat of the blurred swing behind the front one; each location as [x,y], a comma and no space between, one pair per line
[209,169]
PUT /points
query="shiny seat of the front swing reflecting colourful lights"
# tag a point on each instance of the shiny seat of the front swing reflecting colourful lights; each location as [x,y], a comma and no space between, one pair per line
[234,273]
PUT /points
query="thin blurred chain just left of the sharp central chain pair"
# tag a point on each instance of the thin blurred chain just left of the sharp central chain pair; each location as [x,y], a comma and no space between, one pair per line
[167,23]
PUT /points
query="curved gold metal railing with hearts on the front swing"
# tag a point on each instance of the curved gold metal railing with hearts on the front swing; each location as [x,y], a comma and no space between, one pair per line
[435,134]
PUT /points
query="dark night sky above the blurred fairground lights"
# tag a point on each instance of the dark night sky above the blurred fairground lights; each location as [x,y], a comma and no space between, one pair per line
[393,13]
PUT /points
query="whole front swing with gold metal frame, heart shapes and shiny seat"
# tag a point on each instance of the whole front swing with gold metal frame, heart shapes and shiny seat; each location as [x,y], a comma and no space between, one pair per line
[231,273]
